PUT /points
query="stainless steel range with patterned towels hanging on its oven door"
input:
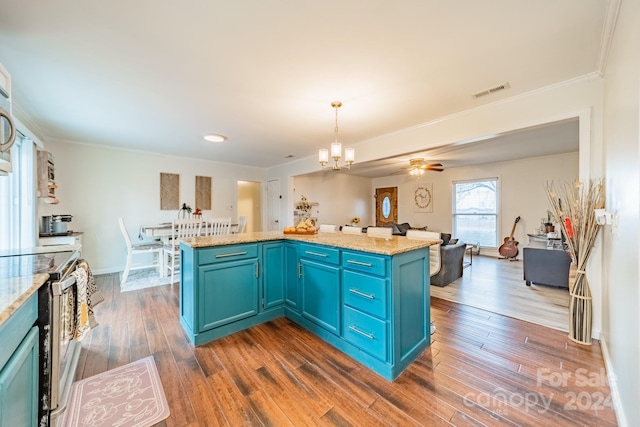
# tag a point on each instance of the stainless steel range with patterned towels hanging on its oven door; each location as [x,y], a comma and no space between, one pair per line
[58,356]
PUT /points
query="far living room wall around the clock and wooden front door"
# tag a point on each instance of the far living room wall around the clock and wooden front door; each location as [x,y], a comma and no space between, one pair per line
[522,192]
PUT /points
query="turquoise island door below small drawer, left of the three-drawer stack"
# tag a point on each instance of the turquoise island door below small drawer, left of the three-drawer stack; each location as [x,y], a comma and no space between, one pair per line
[321,294]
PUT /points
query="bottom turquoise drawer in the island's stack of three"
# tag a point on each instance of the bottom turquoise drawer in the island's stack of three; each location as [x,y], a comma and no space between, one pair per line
[365,332]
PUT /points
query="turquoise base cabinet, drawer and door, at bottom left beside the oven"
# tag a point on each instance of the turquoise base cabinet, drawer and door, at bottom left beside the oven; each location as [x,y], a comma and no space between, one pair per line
[19,363]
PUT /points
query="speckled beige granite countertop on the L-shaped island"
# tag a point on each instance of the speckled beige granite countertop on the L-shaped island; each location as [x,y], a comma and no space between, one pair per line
[378,245]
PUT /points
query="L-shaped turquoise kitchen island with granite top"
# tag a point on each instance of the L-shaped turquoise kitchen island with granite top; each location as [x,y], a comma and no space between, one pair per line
[368,297]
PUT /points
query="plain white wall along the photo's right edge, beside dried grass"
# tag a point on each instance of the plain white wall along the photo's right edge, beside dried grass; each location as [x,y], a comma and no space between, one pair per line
[621,323]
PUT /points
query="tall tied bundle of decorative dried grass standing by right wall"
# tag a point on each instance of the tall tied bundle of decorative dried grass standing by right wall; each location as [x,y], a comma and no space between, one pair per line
[574,205]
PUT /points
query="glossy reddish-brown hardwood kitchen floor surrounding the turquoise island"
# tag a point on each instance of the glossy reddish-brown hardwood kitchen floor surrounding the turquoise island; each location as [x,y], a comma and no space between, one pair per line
[481,369]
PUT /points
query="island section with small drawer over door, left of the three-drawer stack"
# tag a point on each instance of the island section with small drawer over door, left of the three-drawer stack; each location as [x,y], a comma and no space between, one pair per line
[320,283]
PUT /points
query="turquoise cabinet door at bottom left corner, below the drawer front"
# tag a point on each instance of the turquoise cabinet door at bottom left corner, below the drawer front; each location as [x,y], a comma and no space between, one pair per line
[19,384]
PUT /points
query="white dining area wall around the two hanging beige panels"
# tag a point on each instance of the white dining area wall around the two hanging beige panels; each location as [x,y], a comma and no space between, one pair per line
[97,185]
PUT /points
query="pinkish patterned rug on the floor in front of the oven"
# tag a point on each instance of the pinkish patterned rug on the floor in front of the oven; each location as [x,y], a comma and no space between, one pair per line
[128,396]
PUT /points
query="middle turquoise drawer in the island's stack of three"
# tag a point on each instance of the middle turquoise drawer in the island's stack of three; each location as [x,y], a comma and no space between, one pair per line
[364,292]
